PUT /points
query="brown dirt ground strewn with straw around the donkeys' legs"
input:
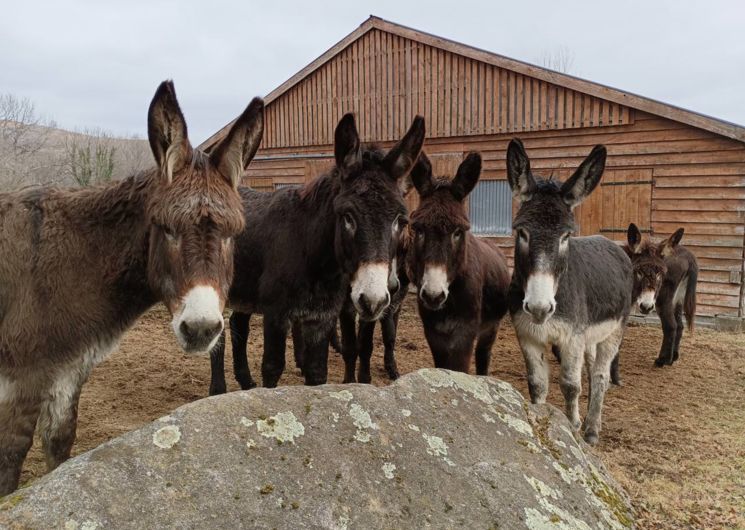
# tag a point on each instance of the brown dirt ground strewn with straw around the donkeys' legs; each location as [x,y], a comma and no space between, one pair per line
[674,437]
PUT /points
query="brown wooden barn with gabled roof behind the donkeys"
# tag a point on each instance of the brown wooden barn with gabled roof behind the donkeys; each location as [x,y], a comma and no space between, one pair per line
[667,167]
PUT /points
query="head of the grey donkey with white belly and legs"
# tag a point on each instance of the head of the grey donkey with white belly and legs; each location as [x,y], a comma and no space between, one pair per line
[544,224]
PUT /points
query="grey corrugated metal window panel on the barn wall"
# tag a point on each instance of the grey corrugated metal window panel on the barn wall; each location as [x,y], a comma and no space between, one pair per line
[490,208]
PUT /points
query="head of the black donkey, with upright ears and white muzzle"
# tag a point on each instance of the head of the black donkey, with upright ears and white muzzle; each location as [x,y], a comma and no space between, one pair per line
[370,212]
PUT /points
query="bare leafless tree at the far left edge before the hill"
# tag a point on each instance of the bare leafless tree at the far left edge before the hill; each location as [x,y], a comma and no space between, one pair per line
[23,136]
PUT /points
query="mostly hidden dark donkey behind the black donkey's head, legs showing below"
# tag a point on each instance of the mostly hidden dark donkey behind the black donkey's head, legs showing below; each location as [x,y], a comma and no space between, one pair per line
[358,341]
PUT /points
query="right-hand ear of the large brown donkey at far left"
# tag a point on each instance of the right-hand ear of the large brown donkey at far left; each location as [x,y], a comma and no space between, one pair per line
[235,152]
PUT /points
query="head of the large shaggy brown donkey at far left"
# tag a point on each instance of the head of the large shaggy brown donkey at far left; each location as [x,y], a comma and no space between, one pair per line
[194,211]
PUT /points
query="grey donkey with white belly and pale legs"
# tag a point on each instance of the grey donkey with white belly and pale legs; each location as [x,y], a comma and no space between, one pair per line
[572,292]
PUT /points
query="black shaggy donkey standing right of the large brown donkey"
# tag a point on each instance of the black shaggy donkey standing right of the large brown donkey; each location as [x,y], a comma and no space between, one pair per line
[304,251]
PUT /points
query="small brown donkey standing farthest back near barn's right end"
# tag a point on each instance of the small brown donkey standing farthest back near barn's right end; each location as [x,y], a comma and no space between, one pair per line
[665,277]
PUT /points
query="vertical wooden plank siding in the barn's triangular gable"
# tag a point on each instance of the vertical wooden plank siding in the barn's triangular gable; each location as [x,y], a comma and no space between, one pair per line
[395,78]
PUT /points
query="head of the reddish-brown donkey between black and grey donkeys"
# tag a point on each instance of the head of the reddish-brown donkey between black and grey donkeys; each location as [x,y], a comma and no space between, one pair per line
[440,224]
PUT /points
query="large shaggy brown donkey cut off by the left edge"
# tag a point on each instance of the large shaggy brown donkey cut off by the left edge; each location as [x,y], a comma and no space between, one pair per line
[79,266]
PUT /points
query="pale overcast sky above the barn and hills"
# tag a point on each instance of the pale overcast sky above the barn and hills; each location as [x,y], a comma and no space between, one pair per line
[89,64]
